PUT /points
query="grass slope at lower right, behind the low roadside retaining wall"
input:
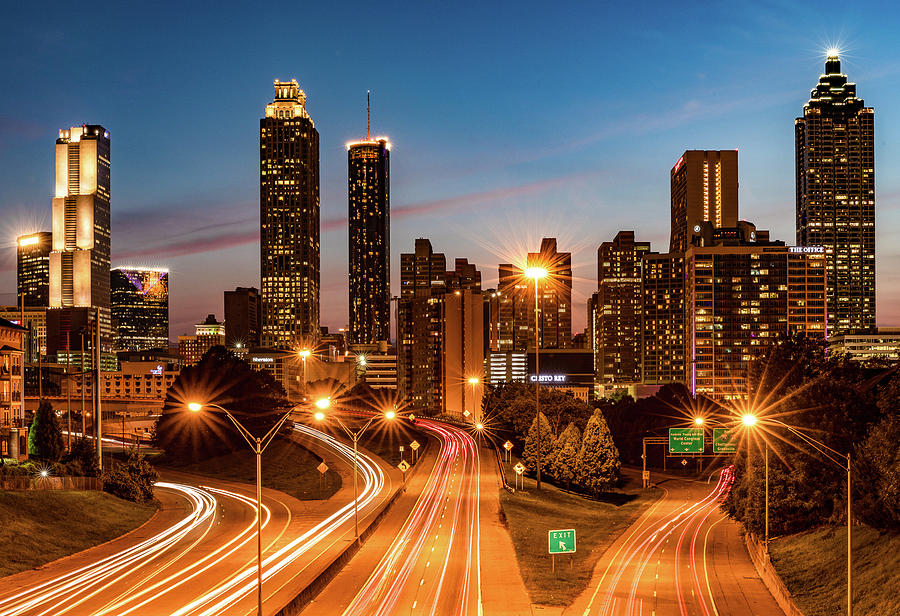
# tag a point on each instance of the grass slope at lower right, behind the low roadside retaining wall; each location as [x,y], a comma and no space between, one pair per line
[813,565]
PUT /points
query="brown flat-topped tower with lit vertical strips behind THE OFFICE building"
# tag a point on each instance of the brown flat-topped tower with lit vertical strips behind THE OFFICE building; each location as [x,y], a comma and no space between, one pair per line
[704,187]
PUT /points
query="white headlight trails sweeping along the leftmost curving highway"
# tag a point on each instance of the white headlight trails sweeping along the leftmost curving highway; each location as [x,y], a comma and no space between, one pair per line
[185,569]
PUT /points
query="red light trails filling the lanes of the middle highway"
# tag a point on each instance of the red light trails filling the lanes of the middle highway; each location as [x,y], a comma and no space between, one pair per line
[433,565]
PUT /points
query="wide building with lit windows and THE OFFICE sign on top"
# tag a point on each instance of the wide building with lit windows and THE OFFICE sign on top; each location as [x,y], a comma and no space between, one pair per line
[740,298]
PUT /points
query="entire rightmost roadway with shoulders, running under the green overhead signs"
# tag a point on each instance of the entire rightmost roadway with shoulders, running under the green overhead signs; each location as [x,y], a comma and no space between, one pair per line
[682,557]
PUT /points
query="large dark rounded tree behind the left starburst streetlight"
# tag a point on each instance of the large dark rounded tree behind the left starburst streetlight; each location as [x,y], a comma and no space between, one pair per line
[254,397]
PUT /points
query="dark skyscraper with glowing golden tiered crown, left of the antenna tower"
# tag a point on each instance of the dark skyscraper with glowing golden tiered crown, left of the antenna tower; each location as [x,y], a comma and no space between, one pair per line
[289,219]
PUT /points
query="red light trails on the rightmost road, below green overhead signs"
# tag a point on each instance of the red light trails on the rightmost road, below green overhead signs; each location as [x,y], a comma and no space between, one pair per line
[673,586]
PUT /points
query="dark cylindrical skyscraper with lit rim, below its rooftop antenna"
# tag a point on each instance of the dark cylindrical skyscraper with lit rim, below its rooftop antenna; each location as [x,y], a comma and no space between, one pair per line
[368,164]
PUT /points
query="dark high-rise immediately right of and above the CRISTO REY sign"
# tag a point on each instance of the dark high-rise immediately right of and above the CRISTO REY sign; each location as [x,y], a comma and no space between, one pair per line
[619,310]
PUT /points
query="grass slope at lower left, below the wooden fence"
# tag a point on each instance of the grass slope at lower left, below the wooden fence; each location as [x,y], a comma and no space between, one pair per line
[41,526]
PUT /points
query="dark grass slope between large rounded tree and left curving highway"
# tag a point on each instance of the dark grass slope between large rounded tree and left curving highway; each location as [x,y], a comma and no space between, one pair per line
[286,467]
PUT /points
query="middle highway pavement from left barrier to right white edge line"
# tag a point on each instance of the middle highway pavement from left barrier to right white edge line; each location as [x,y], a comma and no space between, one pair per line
[425,557]
